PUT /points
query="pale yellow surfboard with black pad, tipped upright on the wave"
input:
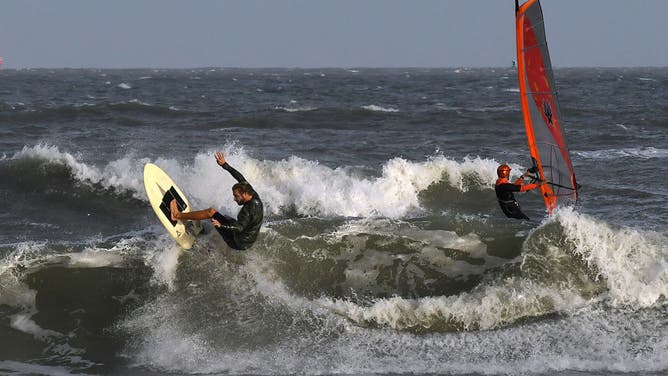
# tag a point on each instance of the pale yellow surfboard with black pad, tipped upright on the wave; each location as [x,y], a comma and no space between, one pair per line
[161,190]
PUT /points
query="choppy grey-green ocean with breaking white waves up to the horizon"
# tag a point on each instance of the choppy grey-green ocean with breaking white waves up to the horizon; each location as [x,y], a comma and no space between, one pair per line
[383,251]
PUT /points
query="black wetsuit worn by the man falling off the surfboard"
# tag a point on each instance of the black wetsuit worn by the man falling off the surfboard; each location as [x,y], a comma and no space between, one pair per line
[241,233]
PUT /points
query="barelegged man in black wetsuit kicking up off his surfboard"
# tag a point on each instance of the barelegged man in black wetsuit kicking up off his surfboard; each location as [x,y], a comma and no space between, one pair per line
[238,233]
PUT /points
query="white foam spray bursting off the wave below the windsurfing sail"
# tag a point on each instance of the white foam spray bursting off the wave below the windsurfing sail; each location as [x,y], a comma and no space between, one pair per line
[633,262]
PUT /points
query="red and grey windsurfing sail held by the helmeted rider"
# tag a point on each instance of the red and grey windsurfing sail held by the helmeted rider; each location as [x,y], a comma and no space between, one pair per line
[540,109]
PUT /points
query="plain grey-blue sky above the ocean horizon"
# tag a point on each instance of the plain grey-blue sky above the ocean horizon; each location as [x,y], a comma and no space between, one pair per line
[322,33]
